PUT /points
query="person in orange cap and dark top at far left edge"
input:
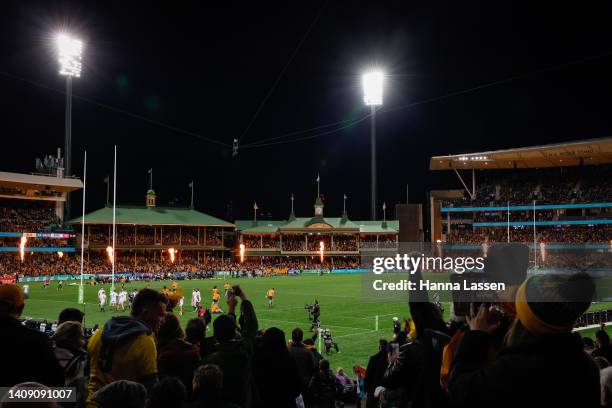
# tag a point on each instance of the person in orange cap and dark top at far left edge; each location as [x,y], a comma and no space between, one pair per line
[27,352]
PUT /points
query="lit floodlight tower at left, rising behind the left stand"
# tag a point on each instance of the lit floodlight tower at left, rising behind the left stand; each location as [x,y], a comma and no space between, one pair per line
[69,52]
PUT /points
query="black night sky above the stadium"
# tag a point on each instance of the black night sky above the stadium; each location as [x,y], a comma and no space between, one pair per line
[160,80]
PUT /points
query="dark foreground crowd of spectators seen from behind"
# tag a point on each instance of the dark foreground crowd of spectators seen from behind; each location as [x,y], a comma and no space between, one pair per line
[501,355]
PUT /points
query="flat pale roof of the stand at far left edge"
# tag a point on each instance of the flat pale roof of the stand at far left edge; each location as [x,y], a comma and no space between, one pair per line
[36,187]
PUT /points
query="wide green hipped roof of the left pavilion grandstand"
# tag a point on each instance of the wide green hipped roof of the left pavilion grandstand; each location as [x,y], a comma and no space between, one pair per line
[152,216]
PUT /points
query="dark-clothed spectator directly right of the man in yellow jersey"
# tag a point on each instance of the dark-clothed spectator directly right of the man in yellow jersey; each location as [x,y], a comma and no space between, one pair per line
[176,357]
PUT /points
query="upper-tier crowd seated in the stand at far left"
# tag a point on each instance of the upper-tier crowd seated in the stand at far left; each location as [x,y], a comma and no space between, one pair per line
[26,216]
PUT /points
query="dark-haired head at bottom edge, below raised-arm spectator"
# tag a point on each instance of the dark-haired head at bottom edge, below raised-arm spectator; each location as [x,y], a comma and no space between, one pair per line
[207,388]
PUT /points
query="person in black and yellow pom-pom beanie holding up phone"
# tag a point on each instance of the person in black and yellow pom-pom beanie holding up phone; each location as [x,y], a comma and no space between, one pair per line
[542,363]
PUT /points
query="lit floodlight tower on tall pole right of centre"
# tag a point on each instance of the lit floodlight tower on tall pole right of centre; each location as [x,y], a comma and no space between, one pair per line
[372,96]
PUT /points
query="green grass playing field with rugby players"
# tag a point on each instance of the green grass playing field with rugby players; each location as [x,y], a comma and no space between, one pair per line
[343,310]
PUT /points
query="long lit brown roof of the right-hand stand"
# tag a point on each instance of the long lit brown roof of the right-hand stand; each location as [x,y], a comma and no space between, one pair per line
[584,152]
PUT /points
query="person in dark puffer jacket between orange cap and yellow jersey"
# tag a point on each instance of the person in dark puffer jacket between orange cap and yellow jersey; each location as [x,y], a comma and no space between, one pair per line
[69,342]
